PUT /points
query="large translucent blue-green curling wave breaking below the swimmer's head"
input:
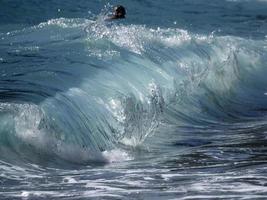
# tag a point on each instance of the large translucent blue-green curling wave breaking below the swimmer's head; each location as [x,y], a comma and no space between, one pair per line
[74,89]
